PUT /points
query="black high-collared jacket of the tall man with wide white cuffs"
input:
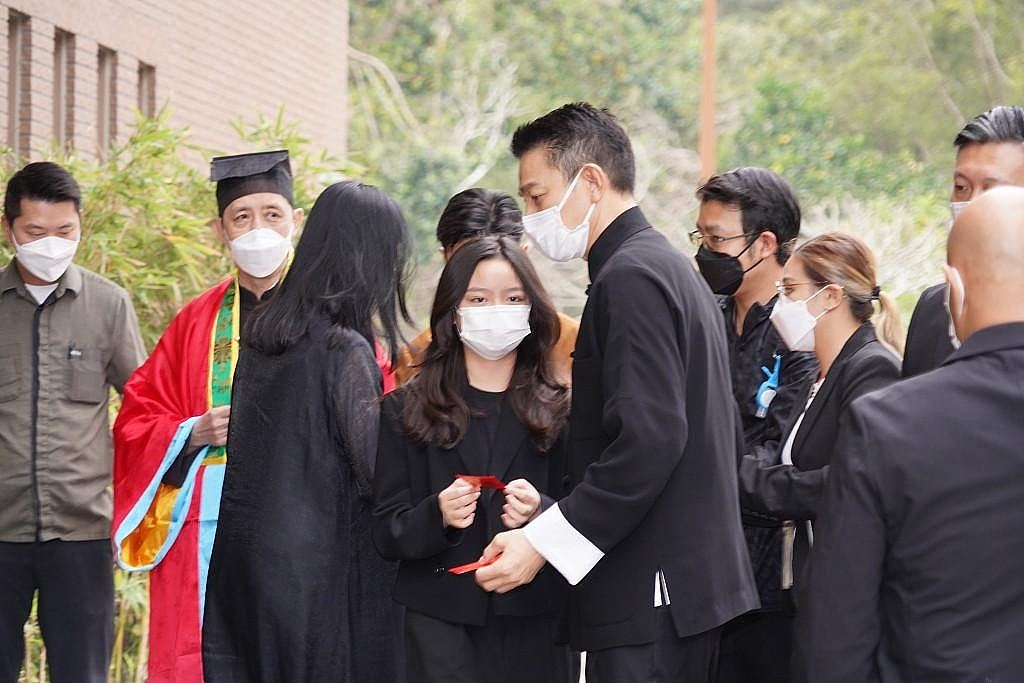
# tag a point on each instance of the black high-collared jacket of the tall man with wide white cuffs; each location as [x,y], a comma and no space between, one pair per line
[653,444]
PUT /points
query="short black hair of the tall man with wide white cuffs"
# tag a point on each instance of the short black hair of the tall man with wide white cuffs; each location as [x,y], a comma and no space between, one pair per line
[577,135]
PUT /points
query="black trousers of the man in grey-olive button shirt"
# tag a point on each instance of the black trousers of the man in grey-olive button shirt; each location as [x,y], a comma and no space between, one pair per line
[75,581]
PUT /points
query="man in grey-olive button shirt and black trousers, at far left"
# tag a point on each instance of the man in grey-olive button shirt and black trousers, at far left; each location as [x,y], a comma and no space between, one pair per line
[67,336]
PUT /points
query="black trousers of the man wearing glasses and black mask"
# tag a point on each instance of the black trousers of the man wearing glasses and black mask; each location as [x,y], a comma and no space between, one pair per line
[756,649]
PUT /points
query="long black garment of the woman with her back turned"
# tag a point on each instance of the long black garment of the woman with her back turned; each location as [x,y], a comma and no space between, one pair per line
[294,579]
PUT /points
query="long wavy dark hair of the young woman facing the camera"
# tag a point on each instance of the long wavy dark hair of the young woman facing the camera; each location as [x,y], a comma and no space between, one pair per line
[435,411]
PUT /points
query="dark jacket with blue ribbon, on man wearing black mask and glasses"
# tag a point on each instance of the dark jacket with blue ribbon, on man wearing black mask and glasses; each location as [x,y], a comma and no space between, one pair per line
[757,348]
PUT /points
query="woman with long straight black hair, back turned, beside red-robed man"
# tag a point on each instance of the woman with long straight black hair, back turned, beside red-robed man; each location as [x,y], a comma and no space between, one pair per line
[296,591]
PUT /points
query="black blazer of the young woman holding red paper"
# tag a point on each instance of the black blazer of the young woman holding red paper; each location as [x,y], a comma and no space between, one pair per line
[409,527]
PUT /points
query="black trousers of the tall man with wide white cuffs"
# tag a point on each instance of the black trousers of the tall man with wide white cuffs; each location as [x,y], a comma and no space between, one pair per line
[668,660]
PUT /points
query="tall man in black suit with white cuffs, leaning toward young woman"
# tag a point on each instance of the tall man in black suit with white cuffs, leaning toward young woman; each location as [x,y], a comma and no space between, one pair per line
[651,537]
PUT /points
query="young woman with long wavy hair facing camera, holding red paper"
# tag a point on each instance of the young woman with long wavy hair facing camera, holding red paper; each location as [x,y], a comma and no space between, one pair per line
[484,404]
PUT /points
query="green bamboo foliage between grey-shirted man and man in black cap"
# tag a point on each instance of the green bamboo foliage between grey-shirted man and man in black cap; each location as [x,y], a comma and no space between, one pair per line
[145,216]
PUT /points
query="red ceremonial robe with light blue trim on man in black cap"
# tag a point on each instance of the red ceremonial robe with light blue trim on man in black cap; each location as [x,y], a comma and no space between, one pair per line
[162,529]
